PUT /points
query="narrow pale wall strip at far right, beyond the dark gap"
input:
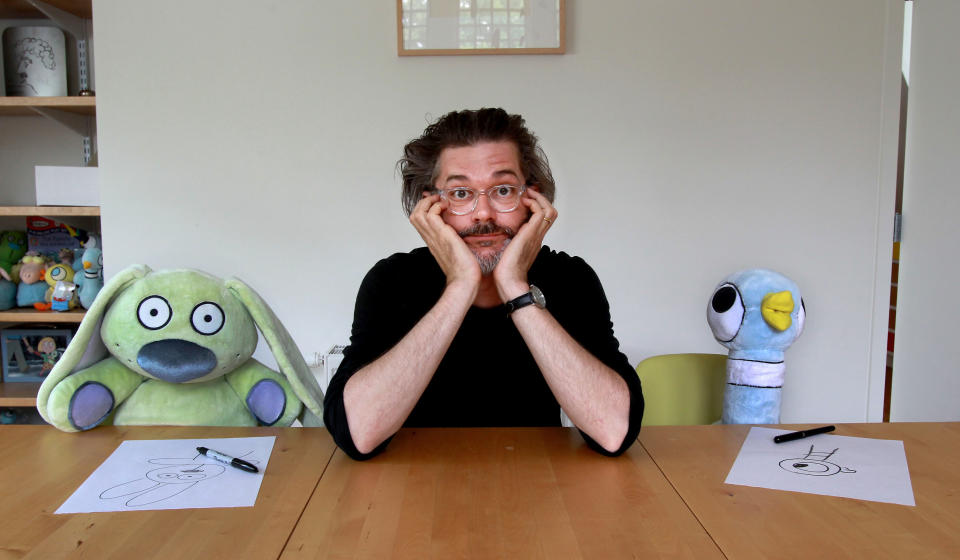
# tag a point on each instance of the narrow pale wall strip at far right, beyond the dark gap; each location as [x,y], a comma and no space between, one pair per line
[925,381]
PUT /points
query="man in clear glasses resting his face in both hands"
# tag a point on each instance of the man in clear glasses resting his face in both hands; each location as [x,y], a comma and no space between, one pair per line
[457,333]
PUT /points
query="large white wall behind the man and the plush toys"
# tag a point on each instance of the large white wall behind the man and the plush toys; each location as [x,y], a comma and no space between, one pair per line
[689,140]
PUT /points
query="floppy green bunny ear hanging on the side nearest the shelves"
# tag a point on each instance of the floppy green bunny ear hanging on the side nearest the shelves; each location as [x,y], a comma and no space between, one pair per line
[86,347]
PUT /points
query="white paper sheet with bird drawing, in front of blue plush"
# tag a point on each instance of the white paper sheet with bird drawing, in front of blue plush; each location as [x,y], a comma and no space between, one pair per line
[848,467]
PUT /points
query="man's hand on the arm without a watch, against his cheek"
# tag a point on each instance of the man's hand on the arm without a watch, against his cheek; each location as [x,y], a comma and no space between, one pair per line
[448,248]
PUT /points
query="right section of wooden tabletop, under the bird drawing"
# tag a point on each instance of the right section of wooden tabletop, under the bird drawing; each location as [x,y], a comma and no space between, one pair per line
[748,522]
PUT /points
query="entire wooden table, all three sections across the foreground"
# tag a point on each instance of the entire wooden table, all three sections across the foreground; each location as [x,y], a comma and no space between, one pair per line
[483,493]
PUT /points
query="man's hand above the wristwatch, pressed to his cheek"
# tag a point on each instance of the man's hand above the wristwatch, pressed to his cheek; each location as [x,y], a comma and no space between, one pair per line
[510,275]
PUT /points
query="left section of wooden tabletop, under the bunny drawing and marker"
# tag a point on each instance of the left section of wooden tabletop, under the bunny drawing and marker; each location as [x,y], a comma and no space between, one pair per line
[43,466]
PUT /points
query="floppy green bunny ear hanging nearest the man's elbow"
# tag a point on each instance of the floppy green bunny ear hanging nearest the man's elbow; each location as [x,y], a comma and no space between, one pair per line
[288,356]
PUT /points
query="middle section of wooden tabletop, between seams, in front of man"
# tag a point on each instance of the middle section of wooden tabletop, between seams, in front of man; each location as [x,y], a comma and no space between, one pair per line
[496,493]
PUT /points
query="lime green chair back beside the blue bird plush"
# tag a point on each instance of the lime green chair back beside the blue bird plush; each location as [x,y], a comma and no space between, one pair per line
[683,389]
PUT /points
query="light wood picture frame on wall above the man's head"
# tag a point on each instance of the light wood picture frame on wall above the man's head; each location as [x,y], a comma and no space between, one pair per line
[480,27]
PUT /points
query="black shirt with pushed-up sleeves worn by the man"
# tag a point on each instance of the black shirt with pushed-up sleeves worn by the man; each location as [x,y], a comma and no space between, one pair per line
[488,376]
